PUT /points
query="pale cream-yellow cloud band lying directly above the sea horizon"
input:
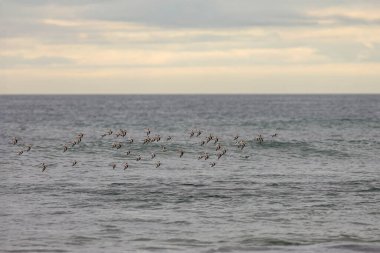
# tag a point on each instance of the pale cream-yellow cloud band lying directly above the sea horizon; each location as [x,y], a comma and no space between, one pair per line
[325,78]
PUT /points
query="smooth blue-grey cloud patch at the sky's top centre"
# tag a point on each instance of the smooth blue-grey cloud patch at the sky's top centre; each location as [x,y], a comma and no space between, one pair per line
[200,14]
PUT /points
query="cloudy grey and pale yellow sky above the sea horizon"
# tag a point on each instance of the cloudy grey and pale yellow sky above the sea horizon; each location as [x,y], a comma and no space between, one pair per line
[189,46]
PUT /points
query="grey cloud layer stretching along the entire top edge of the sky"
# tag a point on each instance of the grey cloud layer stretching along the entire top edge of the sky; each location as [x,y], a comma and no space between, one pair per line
[183,13]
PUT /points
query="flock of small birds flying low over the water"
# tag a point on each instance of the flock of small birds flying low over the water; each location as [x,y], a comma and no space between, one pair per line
[218,145]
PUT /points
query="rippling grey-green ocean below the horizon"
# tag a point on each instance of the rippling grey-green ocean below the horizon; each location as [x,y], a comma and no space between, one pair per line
[303,174]
